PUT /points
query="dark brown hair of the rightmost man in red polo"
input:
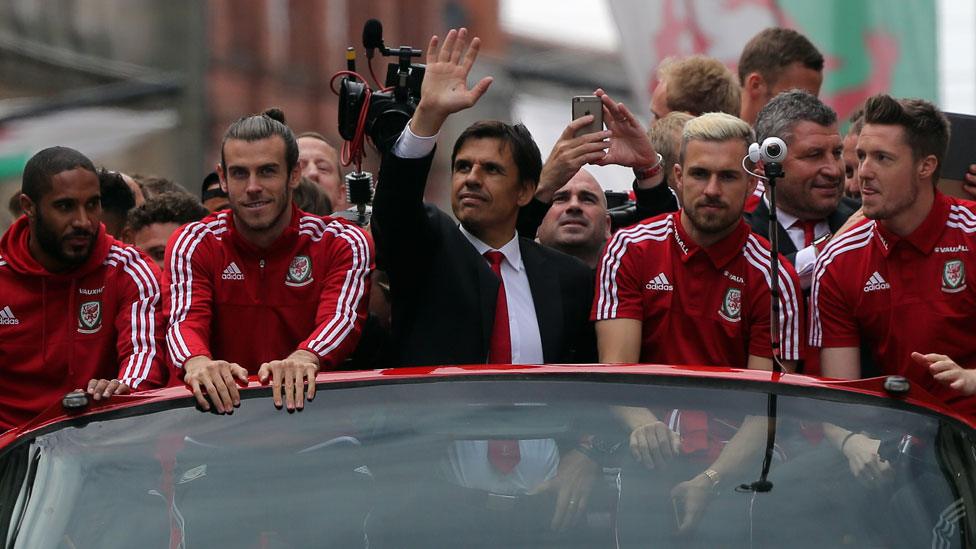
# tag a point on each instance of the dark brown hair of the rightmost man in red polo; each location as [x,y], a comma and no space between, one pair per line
[926,127]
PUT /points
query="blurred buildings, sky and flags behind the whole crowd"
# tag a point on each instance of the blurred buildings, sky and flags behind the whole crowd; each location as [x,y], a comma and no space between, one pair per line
[148,86]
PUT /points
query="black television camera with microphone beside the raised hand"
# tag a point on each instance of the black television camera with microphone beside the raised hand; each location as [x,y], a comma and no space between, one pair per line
[382,114]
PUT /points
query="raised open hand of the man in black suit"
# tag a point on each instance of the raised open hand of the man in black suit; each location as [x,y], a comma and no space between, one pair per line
[445,89]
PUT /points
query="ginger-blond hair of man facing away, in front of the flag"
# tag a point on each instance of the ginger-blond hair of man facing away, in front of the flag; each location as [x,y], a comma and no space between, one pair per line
[700,84]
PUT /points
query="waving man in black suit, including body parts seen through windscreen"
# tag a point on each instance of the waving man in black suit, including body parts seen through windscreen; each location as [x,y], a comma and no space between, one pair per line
[472,291]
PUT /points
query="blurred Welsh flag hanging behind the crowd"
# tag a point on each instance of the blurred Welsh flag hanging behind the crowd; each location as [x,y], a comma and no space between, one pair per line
[870,46]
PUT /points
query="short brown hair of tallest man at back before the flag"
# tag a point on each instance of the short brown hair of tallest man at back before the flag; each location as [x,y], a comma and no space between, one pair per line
[774,49]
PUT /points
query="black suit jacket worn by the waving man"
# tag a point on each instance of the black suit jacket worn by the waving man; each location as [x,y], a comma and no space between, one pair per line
[443,292]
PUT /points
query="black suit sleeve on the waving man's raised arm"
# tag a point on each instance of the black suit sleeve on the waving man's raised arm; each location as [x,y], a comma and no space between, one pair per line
[401,226]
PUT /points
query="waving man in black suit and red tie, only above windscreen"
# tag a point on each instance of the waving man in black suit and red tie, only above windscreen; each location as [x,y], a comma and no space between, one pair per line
[440,277]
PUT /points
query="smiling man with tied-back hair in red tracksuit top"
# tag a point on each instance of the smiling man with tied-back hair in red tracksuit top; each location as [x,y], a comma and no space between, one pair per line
[263,288]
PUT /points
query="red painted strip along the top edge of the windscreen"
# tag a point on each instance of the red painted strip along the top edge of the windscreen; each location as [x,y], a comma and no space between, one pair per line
[870,386]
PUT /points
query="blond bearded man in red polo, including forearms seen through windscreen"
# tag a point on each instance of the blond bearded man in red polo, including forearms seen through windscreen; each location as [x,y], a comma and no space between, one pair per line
[692,288]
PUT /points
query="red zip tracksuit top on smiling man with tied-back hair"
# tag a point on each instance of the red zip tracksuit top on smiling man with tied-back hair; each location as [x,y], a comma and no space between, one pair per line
[229,300]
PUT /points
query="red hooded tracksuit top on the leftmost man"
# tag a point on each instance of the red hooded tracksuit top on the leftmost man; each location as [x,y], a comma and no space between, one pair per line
[59,330]
